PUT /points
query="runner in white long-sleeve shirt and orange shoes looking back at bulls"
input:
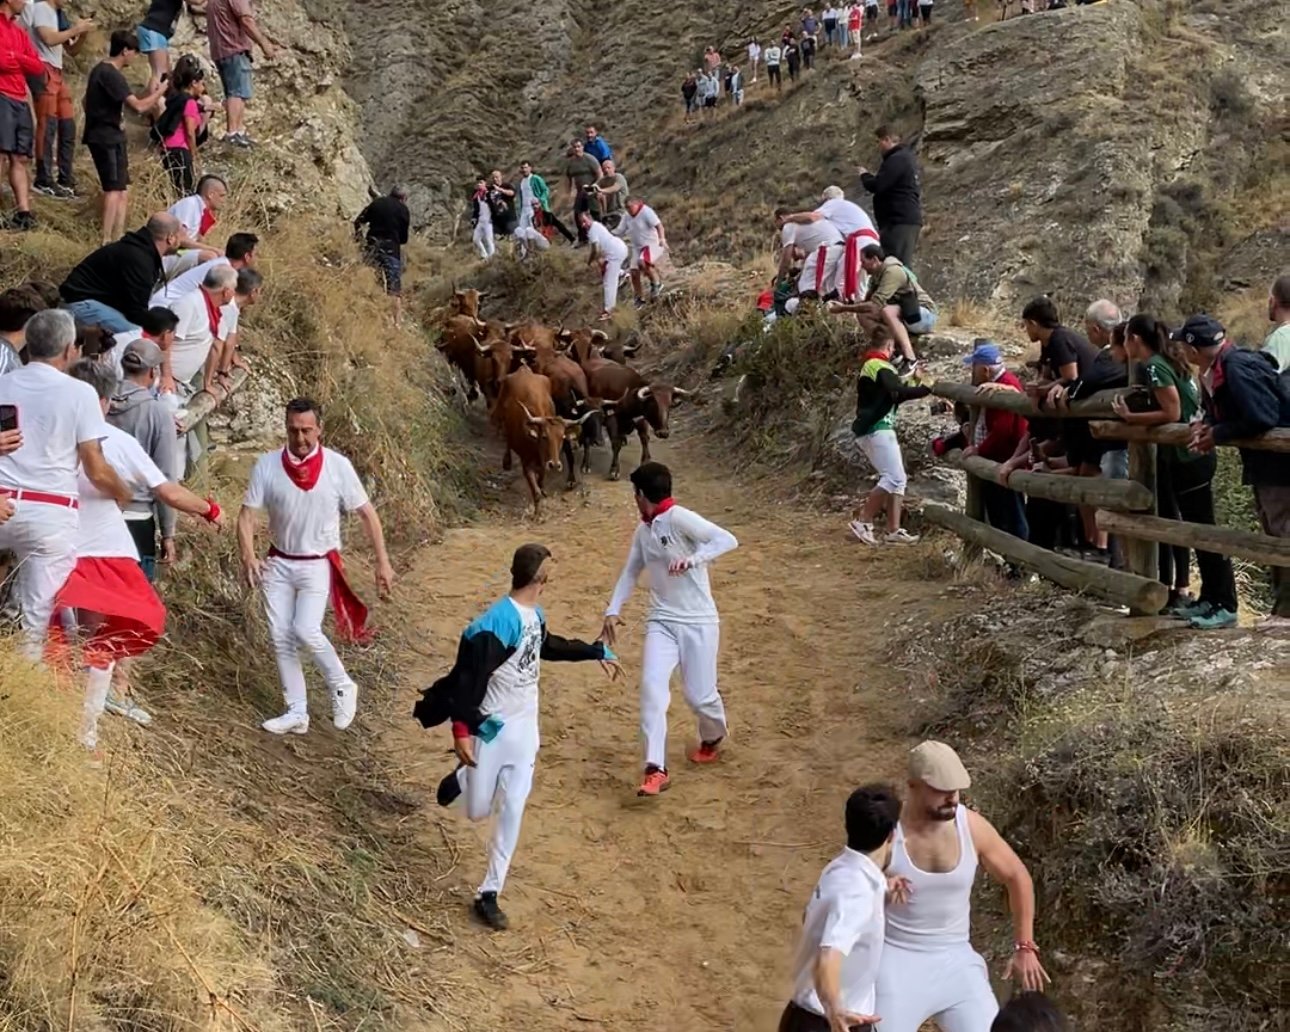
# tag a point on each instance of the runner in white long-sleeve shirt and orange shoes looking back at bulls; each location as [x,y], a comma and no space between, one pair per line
[675,546]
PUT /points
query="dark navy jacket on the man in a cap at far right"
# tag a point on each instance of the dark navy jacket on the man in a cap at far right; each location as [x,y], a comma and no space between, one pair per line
[1249,398]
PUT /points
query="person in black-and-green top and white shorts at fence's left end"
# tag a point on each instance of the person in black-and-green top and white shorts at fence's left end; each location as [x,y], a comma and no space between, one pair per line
[878,394]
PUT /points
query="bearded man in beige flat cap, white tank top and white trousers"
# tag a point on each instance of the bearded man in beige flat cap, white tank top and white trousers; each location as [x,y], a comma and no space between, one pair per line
[929,969]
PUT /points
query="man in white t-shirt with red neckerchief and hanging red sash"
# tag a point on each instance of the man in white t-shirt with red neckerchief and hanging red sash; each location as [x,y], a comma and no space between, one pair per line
[305,488]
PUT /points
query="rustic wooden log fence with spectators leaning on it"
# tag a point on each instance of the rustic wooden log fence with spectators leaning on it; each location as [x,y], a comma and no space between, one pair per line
[1124,508]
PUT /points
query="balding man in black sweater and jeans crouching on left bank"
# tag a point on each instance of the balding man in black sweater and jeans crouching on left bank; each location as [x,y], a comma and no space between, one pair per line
[112,286]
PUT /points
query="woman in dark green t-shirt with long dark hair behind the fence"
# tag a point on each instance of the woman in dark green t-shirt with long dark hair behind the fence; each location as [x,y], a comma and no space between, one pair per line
[1184,478]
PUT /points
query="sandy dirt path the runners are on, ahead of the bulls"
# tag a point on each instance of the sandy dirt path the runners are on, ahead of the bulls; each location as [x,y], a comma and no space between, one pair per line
[679,913]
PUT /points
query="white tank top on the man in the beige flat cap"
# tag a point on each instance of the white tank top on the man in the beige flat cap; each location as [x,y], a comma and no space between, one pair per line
[940,909]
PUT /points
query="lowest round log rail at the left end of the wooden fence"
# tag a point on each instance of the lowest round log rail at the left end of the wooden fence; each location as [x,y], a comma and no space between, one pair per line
[1140,594]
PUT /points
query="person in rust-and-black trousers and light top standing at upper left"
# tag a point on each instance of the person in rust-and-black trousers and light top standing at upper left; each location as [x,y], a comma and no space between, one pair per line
[56,124]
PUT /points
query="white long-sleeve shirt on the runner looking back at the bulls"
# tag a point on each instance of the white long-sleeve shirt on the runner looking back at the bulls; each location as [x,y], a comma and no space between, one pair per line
[674,535]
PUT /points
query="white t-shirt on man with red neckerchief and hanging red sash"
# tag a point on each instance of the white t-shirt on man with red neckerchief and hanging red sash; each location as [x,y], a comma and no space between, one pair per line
[305,523]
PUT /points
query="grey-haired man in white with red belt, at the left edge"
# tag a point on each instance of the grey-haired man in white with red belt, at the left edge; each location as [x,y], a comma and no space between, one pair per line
[60,428]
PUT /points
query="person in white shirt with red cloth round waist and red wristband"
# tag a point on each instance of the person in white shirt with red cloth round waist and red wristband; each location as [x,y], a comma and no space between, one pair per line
[119,612]
